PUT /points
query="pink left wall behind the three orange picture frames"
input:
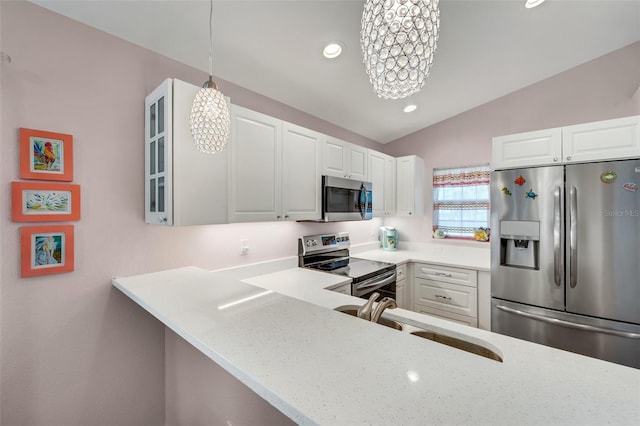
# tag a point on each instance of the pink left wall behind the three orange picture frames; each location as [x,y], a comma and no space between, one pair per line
[75,351]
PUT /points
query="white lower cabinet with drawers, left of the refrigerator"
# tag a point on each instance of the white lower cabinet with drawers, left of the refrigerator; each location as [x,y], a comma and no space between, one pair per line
[446,292]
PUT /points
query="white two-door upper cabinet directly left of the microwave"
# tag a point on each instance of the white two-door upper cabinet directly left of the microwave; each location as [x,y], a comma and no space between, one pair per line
[274,169]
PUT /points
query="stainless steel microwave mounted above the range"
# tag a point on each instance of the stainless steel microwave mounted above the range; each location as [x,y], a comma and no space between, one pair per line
[346,199]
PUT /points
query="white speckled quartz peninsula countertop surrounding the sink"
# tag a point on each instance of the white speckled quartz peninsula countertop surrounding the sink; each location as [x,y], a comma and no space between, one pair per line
[277,332]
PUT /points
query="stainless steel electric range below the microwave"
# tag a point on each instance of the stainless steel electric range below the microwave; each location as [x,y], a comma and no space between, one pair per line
[330,253]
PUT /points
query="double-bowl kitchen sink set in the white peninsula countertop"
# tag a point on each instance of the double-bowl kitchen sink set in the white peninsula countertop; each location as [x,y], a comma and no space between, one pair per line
[444,339]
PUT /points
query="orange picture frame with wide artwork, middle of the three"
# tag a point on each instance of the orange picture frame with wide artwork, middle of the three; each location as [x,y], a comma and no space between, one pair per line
[44,202]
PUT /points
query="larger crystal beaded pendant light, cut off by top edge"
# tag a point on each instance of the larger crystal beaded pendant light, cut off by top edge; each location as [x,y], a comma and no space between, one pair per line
[398,41]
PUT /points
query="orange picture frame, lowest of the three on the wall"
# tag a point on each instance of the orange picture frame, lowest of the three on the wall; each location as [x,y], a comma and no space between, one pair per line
[46,249]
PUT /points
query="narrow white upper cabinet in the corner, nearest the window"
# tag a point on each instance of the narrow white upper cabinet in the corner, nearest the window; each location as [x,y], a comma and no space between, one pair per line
[409,186]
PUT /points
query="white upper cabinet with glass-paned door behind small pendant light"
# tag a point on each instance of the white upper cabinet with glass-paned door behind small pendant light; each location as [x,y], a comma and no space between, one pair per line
[183,186]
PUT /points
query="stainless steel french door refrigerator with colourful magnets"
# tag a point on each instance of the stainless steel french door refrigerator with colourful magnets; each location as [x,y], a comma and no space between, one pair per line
[565,257]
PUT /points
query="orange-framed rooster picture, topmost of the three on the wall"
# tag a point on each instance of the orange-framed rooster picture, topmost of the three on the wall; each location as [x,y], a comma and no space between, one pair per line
[46,155]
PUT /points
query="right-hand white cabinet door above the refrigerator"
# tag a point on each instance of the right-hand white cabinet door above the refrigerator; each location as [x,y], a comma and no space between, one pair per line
[602,140]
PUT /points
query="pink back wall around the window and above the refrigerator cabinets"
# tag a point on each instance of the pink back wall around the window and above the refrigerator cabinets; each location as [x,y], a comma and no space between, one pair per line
[607,87]
